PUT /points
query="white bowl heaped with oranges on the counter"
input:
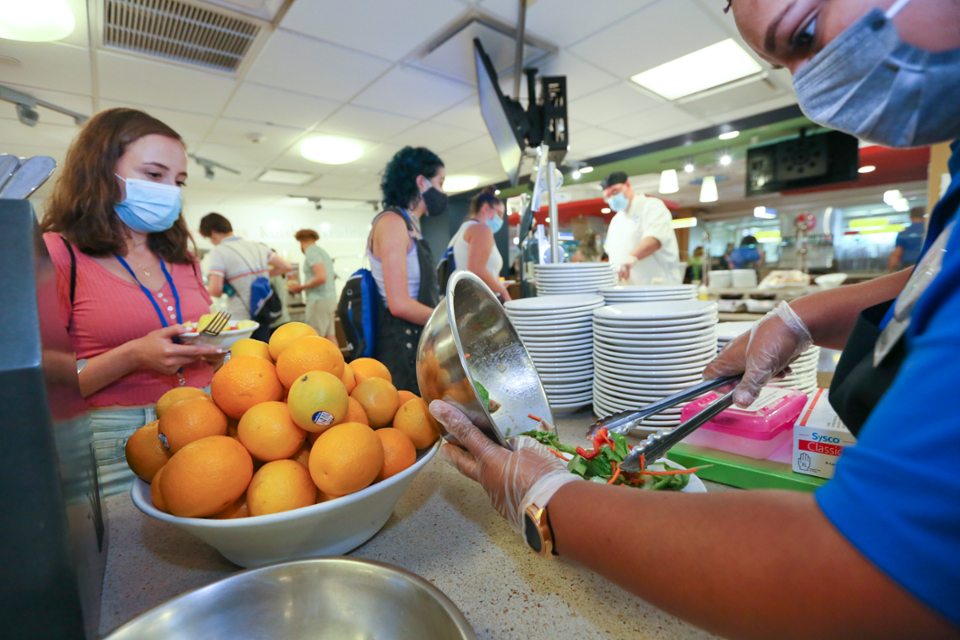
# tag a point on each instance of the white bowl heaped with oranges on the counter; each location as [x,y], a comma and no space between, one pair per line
[300,458]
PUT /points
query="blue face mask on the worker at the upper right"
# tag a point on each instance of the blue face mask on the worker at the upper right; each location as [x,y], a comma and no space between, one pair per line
[869,83]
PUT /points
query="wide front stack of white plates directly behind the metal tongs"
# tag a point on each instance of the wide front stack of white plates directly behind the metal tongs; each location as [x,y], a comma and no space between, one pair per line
[647,351]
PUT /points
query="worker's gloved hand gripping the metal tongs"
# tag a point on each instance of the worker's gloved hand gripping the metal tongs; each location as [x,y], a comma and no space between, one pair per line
[760,354]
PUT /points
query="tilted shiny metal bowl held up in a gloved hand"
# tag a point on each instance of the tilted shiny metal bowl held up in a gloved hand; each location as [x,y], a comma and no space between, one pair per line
[470,339]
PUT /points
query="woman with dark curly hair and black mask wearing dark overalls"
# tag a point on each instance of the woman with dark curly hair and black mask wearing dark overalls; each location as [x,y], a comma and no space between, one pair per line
[401,261]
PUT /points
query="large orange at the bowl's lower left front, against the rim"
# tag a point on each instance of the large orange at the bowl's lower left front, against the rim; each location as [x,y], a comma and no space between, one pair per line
[206,476]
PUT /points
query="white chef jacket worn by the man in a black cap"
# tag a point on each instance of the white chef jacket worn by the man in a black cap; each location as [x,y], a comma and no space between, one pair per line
[645,218]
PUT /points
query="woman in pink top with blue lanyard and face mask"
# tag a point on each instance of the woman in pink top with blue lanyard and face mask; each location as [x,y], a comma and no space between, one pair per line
[126,278]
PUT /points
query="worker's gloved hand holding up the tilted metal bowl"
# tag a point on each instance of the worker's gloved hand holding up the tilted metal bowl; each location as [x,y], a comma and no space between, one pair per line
[513,479]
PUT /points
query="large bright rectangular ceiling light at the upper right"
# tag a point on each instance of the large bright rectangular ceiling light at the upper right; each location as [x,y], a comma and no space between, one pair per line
[710,67]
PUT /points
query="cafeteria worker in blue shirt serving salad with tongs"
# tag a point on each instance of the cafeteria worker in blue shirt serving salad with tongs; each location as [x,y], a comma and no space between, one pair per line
[874,553]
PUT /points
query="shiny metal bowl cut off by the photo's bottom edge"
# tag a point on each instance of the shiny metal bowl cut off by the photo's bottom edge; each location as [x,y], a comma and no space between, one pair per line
[316,599]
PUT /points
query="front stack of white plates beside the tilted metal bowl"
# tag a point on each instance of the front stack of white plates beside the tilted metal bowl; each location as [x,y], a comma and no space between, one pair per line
[558,333]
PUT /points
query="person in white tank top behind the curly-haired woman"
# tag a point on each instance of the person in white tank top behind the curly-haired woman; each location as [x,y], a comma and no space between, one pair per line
[474,248]
